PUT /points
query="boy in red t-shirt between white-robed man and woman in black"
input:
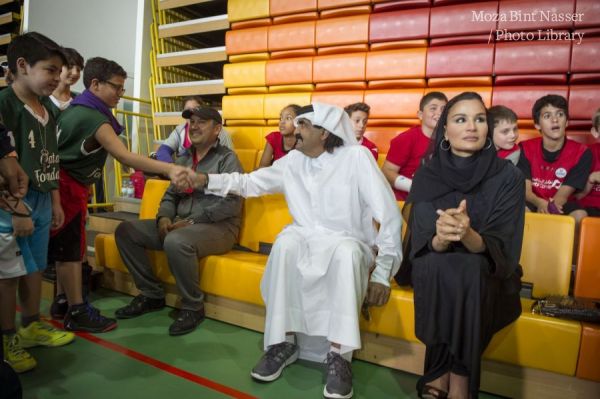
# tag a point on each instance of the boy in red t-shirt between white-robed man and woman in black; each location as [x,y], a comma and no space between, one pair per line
[407,149]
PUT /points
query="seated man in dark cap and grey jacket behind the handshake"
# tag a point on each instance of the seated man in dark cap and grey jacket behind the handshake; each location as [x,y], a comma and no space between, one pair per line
[189,225]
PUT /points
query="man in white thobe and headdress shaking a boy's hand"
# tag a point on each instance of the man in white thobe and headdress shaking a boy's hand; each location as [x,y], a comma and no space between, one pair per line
[317,274]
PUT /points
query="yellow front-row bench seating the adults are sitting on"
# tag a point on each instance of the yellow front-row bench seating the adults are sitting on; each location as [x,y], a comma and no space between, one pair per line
[533,341]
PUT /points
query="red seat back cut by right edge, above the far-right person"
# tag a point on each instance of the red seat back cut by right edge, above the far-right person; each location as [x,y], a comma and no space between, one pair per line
[584,100]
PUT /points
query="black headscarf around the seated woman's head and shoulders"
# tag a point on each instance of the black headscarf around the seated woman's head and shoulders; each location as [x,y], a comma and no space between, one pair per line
[440,174]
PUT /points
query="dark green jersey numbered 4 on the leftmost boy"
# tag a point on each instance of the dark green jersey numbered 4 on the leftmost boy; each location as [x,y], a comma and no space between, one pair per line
[35,141]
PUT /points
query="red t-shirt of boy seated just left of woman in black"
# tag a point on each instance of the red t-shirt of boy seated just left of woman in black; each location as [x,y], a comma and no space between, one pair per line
[406,151]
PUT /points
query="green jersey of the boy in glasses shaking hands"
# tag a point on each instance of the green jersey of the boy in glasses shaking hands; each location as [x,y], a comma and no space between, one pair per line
[76,125]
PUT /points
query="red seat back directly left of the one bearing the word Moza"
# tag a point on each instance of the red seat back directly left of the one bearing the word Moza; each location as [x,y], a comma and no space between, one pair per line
[399,25]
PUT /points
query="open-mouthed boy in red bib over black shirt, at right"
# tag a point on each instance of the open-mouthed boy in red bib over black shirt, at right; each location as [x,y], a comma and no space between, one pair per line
[555,167]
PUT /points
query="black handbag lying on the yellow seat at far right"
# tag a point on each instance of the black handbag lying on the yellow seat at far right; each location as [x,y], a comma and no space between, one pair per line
[569,308]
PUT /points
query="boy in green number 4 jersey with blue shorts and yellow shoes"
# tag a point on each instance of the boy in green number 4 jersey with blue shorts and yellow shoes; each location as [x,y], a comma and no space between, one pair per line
[35,63]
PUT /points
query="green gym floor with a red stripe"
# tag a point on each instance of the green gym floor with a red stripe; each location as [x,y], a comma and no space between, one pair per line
[140,360]
